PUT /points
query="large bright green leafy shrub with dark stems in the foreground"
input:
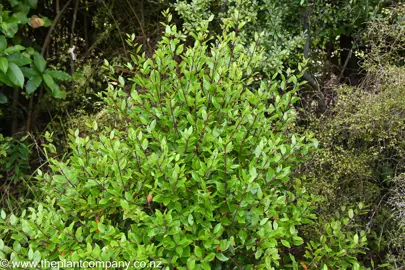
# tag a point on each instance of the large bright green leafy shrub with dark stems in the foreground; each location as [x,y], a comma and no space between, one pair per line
[195,171]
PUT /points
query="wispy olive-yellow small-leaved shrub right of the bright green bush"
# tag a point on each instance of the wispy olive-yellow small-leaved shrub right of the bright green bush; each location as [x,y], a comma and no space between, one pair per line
[362,141]
